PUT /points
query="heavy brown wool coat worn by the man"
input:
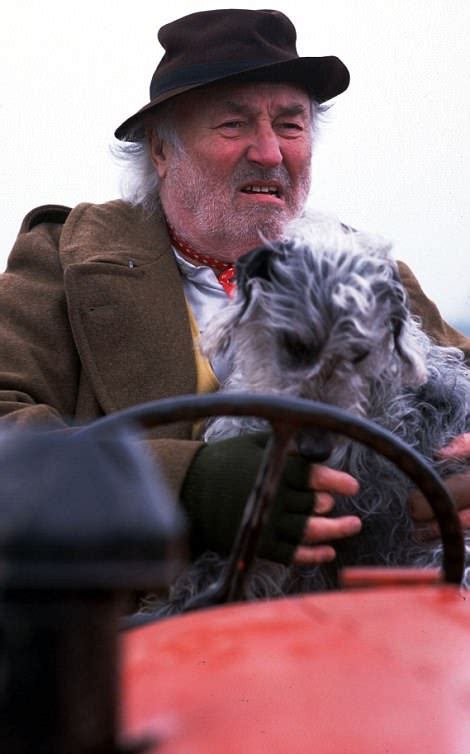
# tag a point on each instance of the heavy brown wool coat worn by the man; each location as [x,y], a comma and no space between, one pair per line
[93,320]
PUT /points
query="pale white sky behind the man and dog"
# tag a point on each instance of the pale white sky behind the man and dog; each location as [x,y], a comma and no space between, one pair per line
[393,156]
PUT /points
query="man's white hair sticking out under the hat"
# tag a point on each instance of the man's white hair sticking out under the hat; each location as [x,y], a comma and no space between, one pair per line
[140,182]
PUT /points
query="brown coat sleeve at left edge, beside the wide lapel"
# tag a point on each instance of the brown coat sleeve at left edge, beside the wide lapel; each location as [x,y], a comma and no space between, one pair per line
[39,366]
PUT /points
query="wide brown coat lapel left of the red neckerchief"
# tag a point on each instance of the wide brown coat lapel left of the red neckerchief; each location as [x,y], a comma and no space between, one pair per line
[126,305]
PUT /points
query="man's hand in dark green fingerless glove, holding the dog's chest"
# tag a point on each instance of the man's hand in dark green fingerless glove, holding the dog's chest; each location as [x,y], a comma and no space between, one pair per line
[298,529]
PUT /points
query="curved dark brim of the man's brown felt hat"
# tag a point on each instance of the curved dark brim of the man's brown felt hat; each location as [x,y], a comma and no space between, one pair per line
[322,77]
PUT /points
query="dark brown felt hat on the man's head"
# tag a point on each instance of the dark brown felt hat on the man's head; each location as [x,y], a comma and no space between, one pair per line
[237,45]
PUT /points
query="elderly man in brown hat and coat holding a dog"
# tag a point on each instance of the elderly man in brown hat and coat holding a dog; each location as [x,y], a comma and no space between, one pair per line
[101,304]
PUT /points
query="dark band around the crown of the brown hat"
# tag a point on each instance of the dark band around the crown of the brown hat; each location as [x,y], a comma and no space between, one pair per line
[202,73]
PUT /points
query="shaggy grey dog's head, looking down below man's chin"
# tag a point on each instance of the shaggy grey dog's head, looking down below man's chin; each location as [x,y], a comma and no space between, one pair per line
[321,322]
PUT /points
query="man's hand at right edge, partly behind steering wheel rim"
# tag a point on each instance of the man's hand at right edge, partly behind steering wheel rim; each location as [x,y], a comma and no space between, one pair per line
[458,485]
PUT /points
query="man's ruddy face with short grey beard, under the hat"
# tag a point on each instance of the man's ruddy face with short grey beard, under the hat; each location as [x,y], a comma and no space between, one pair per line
[244,169]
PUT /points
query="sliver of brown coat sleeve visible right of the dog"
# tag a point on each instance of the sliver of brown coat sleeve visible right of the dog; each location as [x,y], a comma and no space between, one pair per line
[433,324]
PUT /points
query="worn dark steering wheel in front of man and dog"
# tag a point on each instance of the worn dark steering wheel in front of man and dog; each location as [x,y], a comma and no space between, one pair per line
[287,416]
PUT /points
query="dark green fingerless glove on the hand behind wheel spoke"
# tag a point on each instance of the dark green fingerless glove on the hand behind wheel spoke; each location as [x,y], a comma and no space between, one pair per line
[217,486]
